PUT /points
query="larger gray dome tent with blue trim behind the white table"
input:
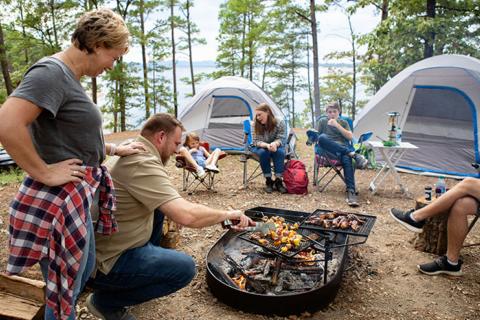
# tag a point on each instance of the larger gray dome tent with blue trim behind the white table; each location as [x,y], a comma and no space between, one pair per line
[438,100]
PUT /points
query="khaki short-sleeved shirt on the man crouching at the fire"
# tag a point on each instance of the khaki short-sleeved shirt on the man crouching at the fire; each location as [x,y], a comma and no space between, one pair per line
[142,184]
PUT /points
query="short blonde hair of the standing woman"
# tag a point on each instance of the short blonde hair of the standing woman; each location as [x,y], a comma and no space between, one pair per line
[100,28]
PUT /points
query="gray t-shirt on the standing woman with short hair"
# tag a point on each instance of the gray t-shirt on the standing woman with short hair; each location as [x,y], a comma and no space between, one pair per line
[70,125]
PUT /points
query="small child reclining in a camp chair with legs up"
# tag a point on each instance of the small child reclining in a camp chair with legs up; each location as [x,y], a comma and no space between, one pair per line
[198,157]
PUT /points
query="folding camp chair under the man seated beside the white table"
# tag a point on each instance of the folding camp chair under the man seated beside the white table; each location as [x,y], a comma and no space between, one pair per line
[329,161]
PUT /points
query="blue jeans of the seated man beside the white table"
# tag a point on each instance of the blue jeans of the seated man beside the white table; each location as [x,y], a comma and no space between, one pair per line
[340,152]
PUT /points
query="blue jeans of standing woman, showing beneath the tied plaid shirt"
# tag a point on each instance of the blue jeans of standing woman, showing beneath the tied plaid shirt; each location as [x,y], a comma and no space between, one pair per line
[87,264]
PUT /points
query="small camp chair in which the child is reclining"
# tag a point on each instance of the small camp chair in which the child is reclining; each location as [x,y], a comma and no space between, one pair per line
[191,180]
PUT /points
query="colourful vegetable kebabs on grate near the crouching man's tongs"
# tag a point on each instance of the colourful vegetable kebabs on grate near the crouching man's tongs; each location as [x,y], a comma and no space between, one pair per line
[284,237]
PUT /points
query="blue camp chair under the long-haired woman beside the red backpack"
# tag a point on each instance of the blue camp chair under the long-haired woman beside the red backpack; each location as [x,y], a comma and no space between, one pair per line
[247,154]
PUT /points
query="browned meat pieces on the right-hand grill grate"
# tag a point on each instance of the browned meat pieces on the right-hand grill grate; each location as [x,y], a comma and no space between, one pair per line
[337,220]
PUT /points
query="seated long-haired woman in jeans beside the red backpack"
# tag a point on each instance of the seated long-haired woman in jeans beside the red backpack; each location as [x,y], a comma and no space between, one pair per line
[269,144]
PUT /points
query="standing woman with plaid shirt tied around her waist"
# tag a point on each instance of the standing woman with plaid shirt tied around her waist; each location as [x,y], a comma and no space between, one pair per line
[53,131]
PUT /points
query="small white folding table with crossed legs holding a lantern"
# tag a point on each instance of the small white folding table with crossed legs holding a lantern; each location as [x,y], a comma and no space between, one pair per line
[391,156]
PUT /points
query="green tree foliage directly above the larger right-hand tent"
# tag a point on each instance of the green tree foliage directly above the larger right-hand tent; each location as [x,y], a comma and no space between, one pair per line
[401,39]
